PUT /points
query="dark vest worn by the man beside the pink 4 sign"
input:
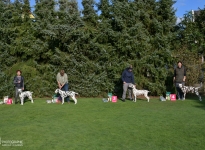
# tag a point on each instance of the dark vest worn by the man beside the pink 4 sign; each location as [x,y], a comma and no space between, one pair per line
[179,74]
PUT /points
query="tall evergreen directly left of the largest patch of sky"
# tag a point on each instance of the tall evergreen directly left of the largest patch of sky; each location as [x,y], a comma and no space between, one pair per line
[161,32]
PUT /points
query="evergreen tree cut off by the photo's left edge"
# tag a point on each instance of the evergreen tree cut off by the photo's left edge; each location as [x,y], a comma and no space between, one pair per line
[8,20]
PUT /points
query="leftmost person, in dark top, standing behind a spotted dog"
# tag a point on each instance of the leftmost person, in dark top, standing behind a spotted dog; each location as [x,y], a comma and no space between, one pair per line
[19,84]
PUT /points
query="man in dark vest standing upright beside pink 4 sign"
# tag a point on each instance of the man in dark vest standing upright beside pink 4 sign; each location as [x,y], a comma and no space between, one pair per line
[179,78]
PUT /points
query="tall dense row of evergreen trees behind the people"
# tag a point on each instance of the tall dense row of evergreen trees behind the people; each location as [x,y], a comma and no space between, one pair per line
[93,47]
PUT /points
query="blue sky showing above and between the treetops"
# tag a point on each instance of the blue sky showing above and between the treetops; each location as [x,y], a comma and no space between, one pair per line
[182,6]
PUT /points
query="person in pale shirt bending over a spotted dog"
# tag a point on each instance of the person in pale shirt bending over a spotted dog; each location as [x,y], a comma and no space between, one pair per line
[62,80]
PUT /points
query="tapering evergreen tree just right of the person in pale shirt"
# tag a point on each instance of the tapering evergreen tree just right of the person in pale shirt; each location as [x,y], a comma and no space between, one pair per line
[93,73]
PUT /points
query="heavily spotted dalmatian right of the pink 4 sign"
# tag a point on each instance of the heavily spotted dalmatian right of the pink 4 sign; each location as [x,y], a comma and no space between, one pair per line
[186,89]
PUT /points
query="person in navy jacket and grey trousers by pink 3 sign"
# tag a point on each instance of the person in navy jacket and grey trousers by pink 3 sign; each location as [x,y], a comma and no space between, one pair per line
[127,78]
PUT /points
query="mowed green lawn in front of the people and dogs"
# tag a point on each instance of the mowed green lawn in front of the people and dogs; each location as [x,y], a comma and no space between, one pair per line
[92,124]
